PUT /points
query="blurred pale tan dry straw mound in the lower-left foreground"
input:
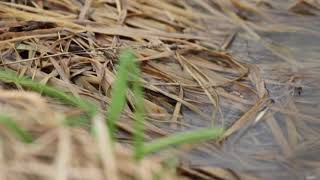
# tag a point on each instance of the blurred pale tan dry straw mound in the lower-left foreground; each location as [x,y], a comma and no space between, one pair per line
[62,152]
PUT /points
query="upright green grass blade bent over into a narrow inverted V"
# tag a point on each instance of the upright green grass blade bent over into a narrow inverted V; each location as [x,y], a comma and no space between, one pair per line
[127,66]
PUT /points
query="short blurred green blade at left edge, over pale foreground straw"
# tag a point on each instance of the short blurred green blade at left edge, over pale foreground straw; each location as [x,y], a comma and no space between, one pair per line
[10,124]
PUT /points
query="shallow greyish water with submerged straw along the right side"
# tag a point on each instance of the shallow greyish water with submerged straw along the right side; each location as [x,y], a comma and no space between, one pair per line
[286,142]
